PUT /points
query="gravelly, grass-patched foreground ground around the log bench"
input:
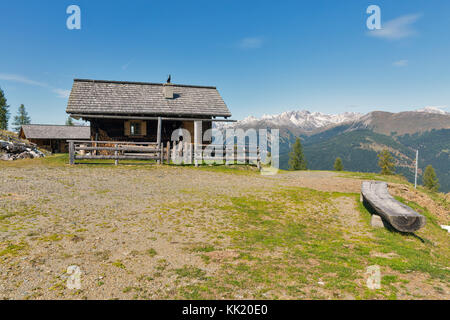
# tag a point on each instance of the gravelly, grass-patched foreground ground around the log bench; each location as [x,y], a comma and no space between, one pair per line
[171,232]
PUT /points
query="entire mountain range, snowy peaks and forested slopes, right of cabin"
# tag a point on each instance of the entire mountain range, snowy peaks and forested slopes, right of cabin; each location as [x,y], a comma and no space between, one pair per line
[358,138]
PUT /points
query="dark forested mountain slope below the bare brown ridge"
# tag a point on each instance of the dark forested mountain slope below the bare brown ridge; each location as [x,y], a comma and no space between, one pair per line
[359,148]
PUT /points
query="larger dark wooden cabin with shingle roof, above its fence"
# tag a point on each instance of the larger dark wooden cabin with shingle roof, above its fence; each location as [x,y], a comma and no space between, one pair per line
[145,112]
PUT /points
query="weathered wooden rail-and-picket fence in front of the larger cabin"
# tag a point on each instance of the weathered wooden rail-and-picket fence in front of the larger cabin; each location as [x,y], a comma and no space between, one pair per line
[170,153]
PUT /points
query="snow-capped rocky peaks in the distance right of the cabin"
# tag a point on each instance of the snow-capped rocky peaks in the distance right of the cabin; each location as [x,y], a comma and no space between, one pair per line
[303,120]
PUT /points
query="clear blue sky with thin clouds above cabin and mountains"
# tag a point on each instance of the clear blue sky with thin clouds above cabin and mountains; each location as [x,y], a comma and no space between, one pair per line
[265,57]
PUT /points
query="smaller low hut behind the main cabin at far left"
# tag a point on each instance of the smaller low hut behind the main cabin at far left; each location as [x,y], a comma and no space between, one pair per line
[53,138]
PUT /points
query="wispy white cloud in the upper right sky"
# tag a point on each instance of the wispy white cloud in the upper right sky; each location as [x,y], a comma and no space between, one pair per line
[399,28]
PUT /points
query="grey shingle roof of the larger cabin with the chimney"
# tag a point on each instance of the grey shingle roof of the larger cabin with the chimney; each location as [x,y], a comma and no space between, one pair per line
[114,97]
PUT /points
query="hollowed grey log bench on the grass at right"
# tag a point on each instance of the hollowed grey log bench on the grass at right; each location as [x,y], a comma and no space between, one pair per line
[398,215]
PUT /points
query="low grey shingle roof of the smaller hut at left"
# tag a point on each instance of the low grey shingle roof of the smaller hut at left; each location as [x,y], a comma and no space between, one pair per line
[43,131]
